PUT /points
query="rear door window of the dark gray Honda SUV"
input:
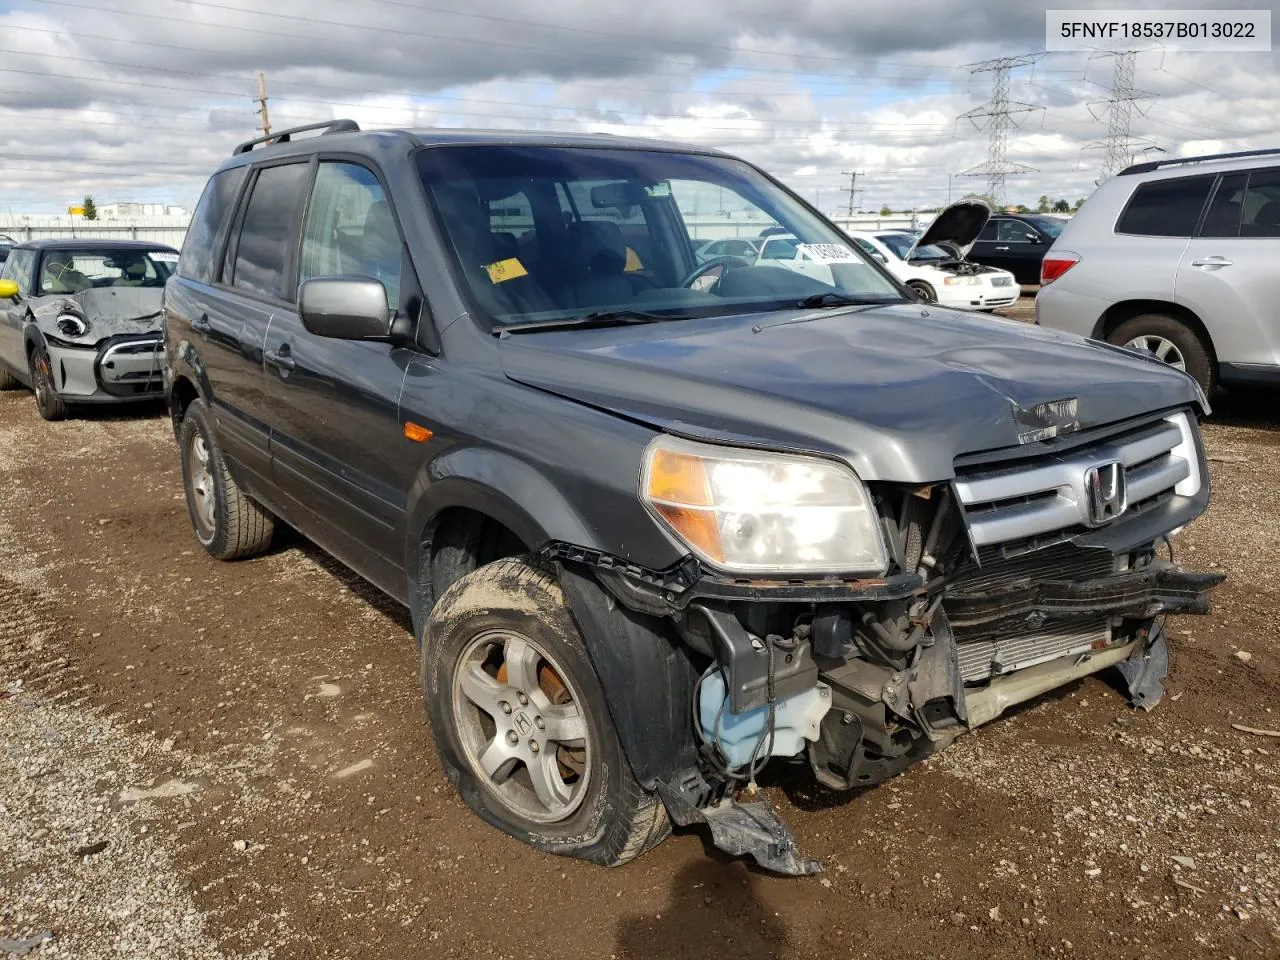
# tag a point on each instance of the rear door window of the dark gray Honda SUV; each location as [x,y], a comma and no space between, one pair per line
[267,235]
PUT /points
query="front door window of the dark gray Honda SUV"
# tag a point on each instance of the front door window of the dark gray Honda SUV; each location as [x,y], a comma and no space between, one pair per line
[350,230]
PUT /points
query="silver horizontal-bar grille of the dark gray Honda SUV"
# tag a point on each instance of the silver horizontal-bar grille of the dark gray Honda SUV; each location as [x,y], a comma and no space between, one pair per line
[1048,495]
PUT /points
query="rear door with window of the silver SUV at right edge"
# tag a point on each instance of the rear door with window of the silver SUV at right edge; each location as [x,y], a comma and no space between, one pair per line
[1229,276]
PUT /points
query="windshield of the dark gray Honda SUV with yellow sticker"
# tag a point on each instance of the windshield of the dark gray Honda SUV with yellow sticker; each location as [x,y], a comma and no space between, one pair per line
[546,234]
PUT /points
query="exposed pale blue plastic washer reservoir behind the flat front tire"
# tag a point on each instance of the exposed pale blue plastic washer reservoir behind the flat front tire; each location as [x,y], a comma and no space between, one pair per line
[797,720]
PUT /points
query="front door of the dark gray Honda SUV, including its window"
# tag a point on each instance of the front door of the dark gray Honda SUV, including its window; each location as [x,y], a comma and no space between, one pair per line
[337,433]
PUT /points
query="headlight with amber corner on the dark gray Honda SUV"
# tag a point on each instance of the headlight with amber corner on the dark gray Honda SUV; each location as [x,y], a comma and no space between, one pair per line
[749,511]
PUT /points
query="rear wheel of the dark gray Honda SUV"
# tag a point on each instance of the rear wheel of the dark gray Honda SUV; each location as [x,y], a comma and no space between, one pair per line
[228,524]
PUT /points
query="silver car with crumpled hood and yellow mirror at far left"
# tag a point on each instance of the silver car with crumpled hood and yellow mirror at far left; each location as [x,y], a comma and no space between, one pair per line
[80,322]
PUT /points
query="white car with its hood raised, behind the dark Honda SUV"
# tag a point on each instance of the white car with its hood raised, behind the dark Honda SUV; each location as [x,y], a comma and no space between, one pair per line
[935,264]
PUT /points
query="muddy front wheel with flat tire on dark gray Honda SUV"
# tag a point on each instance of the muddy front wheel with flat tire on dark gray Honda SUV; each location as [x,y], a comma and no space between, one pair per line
[513,614]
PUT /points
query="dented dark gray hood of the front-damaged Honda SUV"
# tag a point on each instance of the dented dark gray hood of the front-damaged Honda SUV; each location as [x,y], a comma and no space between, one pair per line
[898,392]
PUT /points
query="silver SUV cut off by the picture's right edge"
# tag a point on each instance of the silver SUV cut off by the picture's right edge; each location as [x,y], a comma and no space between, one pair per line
[1178,258]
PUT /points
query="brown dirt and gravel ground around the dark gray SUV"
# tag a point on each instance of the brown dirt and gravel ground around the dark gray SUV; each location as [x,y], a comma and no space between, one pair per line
[249,744]
